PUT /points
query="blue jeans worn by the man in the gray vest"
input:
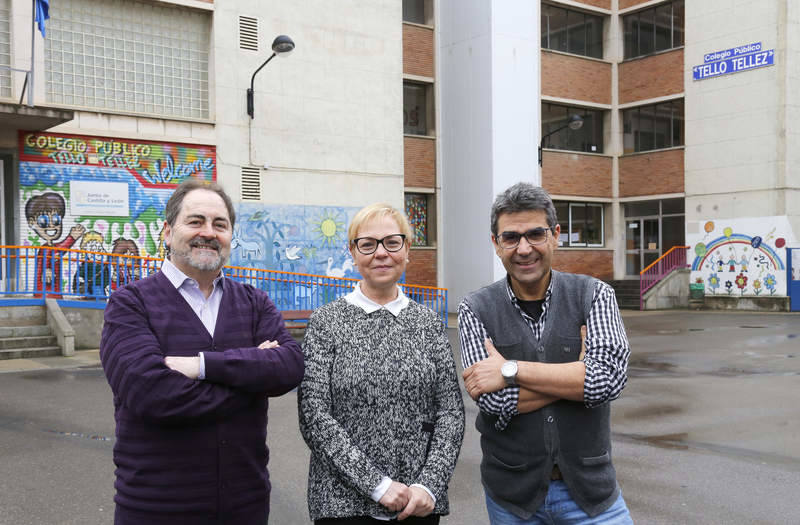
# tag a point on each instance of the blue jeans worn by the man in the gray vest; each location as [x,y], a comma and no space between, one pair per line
[558,508]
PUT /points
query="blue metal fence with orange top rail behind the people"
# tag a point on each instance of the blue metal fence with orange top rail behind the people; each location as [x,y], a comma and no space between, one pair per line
[88,278]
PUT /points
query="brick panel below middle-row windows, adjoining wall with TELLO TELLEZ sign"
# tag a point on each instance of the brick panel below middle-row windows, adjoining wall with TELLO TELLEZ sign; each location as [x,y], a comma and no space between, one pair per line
[653,173]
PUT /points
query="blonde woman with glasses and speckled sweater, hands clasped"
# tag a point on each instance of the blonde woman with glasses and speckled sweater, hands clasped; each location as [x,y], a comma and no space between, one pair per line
[380,406]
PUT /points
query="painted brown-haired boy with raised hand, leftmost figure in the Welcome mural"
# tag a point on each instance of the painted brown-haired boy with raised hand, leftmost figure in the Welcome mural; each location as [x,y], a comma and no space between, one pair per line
[45,214]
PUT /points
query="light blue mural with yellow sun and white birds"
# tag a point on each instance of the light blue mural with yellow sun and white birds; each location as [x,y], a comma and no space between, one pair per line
[303,239]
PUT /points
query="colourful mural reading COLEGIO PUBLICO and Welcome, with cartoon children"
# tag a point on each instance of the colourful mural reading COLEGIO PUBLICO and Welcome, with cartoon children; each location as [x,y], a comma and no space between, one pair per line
[99,194]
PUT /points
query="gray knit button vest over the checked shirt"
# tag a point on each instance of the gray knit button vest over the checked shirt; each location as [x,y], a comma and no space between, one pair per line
[518,460]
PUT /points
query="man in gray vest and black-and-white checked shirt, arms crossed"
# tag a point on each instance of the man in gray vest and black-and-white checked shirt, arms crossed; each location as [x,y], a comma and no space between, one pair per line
[544,401]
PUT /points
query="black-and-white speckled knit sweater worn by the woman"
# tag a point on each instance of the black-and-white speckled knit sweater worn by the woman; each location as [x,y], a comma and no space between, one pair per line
[379,398]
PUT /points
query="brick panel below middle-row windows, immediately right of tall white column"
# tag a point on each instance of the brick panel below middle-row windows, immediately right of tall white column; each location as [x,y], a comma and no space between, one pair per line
[571,173]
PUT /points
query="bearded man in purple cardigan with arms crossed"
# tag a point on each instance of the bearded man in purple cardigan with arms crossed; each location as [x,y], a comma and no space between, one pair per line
[191,357]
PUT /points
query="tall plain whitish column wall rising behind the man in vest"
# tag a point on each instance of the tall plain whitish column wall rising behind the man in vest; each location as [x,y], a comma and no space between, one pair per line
[489,56]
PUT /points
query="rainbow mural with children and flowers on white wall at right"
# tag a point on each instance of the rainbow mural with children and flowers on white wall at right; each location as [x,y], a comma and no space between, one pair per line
[741,257]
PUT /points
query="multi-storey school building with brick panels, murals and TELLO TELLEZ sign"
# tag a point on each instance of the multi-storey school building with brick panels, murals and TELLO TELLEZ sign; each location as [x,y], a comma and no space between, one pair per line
[684,138]
